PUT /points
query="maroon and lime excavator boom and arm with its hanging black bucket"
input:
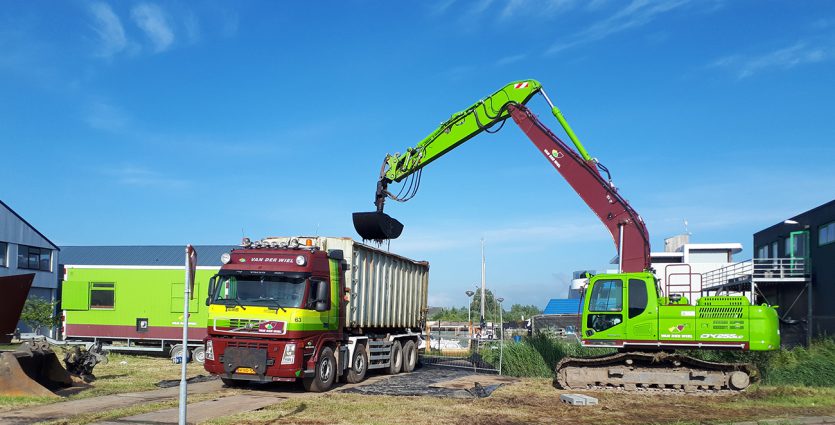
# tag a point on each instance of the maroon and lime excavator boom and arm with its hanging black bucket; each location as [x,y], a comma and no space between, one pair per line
[575,165]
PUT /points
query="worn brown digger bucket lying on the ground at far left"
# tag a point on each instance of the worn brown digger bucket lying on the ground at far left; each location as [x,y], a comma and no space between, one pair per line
[32,370]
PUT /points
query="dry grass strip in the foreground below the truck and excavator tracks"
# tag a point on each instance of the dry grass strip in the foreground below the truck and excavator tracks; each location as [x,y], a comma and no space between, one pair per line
[534,400]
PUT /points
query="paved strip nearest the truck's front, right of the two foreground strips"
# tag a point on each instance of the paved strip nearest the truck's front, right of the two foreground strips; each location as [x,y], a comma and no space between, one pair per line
[202,411]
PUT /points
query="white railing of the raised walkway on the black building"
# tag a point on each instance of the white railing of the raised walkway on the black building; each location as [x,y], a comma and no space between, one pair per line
[771,269]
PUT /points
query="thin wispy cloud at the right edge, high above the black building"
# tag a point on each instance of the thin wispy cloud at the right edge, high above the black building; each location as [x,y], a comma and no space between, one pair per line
[801,53]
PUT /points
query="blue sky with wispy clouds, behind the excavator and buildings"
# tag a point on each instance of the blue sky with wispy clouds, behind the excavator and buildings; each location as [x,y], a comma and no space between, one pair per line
[197,122]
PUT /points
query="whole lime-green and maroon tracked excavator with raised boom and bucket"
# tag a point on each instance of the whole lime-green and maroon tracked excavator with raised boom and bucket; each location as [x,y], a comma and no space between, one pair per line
[629,311]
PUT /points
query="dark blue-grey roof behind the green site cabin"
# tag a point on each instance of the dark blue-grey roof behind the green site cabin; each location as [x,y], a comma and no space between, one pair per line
[146,255]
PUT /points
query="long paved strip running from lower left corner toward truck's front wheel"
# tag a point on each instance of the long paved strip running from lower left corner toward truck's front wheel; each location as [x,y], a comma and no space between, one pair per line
[66,409]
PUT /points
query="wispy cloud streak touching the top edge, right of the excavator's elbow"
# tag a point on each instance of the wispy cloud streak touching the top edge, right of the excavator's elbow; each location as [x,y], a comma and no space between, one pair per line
[636,14]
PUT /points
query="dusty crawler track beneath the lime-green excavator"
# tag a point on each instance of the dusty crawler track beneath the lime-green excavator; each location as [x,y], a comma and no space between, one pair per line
[639,371]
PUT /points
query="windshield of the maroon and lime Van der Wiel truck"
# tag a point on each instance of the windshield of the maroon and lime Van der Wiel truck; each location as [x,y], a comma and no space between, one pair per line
[271,291]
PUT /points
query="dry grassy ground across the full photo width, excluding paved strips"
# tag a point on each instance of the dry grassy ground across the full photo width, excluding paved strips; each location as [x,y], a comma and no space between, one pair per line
[521,402]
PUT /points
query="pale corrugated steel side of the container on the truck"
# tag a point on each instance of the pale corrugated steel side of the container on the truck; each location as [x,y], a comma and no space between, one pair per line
[386,290]
